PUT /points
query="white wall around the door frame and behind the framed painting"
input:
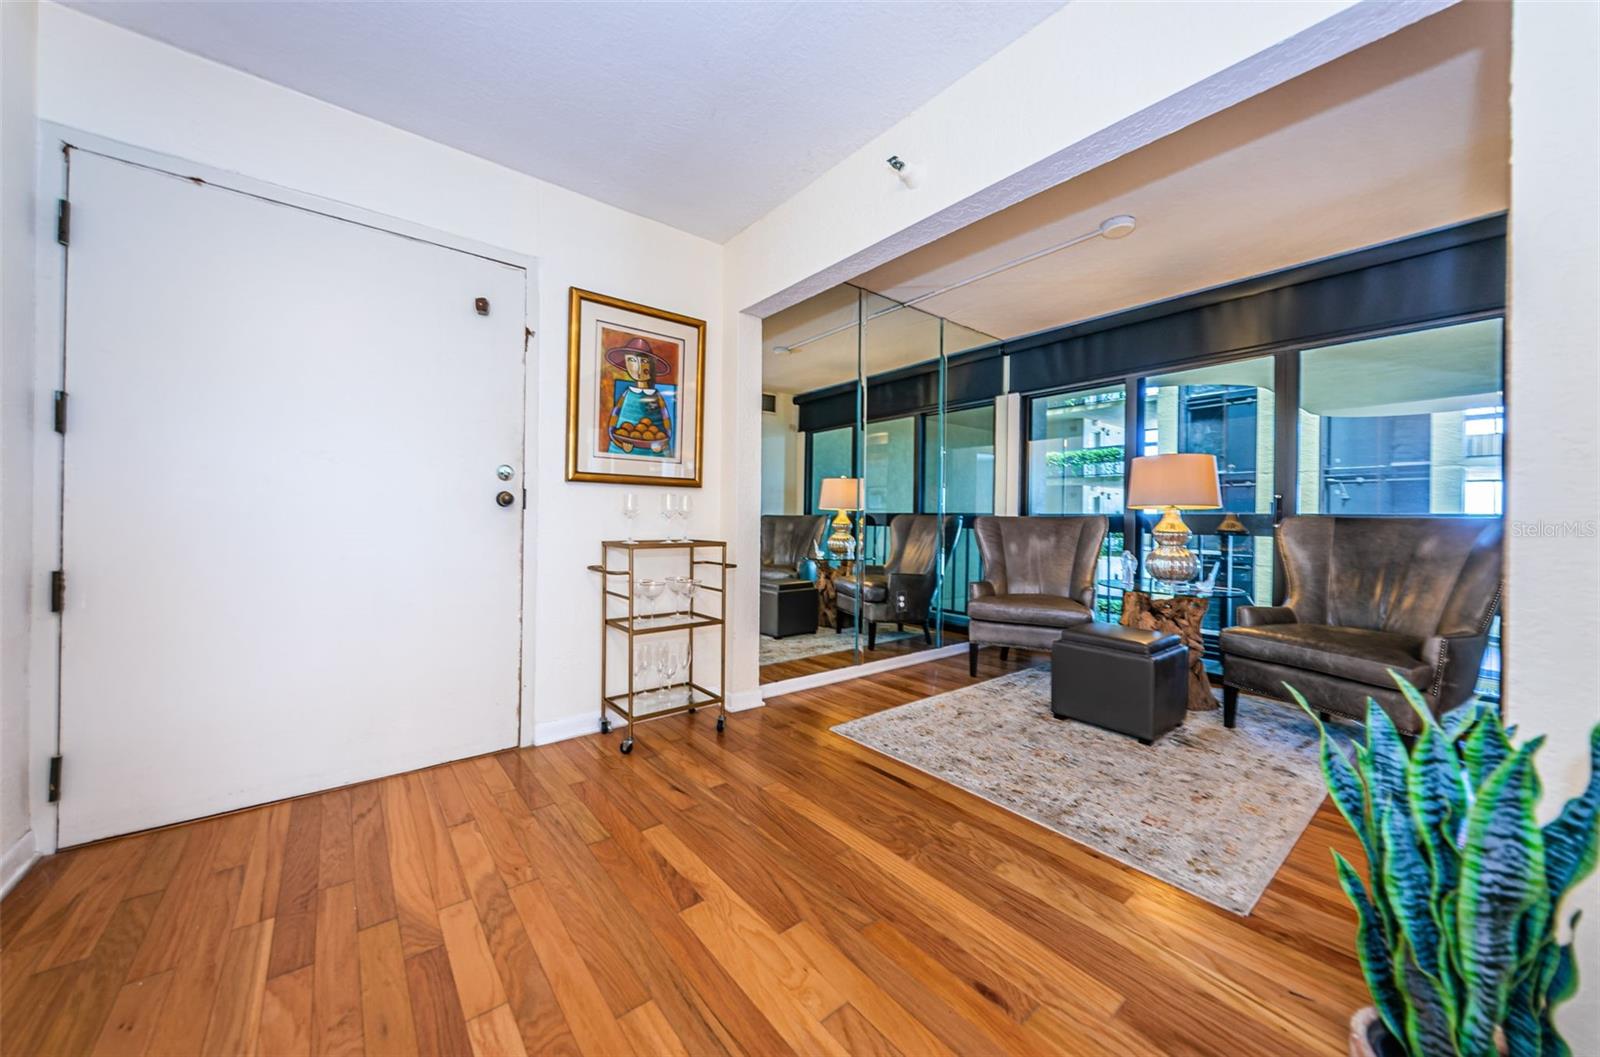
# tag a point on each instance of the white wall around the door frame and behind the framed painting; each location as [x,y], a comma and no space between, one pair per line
[114,84]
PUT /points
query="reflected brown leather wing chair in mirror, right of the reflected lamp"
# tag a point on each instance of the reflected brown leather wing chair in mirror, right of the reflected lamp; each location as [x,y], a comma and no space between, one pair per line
[902,589]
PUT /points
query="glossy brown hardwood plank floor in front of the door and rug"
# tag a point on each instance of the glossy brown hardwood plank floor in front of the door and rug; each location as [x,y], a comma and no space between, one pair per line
[775,890]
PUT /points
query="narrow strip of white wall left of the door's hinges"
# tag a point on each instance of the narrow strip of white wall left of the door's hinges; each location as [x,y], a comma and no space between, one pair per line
[18,26]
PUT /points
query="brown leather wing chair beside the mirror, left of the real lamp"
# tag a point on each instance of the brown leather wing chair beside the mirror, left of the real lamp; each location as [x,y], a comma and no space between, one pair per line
[1039,581]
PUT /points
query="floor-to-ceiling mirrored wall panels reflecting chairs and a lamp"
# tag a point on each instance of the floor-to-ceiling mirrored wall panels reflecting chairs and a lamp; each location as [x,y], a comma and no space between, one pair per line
[870,481]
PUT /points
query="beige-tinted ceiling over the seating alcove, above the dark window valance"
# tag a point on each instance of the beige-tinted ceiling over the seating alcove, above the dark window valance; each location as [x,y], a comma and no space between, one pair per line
[1401,137]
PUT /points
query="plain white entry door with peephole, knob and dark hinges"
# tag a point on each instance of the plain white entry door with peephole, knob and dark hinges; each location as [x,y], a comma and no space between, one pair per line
[286,559]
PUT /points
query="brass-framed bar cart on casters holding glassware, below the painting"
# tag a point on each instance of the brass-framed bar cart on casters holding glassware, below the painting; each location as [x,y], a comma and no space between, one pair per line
[618,613]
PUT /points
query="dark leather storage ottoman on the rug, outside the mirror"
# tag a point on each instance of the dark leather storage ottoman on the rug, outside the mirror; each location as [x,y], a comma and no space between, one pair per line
[1122,679]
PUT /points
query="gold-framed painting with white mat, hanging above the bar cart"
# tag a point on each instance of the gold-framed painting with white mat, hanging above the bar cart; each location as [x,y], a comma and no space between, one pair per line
[634,393]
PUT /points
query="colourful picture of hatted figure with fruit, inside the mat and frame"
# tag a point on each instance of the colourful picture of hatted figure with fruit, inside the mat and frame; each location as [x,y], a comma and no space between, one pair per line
[639,394]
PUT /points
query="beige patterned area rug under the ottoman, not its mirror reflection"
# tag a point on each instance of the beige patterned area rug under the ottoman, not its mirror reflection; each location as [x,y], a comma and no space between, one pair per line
[1207,810]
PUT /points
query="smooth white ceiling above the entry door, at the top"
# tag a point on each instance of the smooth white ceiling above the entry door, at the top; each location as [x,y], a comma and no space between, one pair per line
[703,116]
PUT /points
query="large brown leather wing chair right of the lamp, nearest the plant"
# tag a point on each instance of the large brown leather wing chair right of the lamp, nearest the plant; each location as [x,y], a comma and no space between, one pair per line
[1369,597]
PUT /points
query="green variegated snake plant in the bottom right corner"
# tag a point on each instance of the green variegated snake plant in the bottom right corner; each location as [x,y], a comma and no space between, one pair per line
[1457,922]
